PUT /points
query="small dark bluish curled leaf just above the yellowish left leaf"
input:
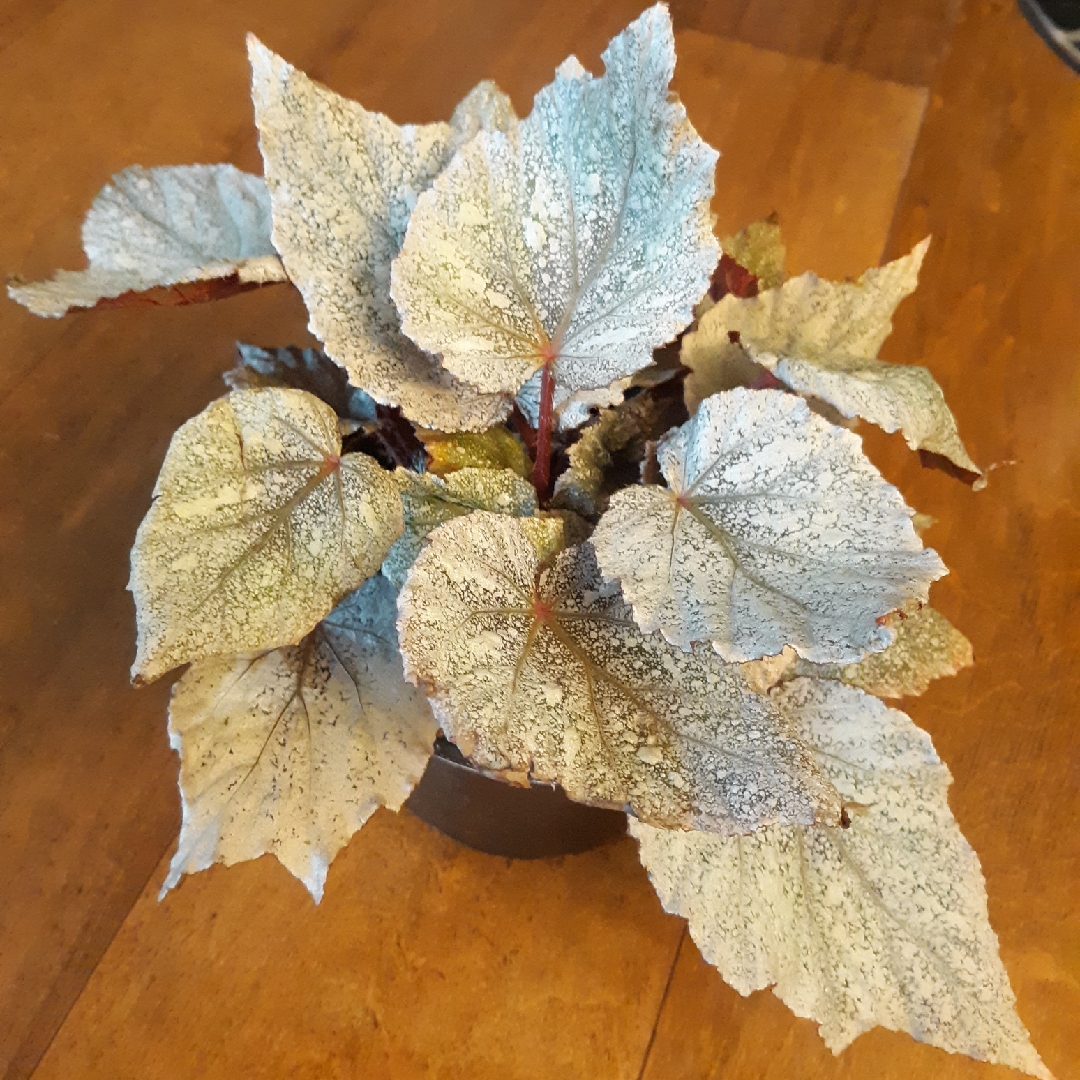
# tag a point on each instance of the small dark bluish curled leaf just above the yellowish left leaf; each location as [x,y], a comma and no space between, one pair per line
[302,370]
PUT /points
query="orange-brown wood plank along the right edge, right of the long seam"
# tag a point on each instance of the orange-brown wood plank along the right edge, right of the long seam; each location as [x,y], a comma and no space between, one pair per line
[996,180]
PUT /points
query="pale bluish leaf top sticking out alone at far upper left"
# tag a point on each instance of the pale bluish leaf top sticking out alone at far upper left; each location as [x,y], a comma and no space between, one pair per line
[152,227]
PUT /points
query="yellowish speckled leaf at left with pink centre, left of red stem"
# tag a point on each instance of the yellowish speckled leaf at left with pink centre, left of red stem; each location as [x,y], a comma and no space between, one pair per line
[256,531]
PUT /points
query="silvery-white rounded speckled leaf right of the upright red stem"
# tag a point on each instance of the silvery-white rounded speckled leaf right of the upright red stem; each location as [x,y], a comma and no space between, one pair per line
[775,530]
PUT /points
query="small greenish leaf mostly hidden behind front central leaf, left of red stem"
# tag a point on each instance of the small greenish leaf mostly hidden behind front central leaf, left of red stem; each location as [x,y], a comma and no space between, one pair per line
[429,502]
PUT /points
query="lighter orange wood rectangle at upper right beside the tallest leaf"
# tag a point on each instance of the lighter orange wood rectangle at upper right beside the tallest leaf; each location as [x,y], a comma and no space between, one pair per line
[823,147]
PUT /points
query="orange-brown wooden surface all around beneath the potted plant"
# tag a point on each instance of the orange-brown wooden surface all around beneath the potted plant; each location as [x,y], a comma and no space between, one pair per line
[867,126]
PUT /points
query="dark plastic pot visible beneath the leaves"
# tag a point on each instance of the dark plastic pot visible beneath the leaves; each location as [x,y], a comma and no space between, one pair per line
[501,819]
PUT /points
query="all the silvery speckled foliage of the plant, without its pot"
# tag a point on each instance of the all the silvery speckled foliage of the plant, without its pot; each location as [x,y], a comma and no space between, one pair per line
[573,484]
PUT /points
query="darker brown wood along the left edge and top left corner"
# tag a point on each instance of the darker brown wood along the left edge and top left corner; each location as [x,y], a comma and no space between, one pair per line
[88,785]
